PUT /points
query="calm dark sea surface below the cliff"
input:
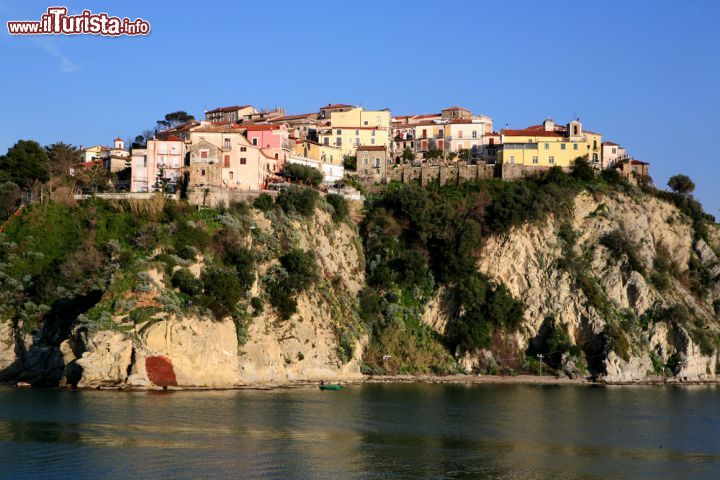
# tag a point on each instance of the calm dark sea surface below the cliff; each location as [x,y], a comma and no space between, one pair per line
[368,431]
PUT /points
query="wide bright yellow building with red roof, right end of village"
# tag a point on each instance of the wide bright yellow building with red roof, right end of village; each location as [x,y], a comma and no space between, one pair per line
[550,145]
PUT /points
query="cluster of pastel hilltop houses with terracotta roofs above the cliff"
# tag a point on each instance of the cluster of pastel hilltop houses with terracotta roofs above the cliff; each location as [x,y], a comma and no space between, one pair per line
[241,148]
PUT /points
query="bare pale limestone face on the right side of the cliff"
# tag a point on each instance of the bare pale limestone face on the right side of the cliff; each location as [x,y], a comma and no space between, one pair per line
[526,261]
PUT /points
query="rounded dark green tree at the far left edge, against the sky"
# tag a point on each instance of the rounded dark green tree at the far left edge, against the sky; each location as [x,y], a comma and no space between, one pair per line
[24,163]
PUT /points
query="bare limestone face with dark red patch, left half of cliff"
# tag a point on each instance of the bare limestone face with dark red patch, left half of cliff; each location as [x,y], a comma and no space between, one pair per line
[192,351]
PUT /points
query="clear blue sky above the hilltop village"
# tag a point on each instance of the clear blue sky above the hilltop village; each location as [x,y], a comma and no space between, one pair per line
[646,74]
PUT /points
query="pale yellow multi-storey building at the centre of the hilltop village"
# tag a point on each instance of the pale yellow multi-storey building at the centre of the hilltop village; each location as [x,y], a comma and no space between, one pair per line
[357,127]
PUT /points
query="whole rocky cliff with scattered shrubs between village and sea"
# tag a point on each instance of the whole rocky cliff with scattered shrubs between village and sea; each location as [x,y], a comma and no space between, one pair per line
[623,286]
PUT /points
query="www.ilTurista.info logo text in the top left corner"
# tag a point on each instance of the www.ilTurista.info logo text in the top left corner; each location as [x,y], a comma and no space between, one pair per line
[57,22]
